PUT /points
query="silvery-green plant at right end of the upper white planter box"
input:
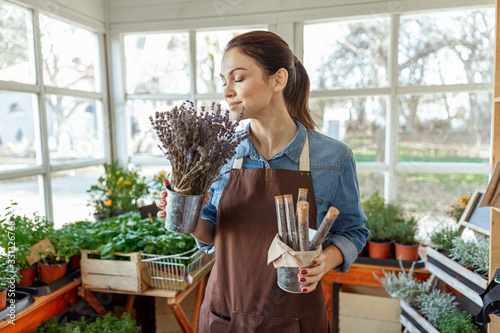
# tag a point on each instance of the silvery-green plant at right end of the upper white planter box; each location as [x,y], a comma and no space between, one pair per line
[471,253]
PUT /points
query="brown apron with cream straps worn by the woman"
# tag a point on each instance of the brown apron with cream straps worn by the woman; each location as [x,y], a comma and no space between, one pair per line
[242,294]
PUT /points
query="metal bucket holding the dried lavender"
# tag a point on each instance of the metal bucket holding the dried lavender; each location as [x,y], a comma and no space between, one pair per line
[183,211]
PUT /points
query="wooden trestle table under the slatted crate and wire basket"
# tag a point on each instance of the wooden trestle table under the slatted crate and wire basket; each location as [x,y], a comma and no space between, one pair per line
[174,298]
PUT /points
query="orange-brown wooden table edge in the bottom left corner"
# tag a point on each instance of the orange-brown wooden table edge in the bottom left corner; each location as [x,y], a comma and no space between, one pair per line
[44,307]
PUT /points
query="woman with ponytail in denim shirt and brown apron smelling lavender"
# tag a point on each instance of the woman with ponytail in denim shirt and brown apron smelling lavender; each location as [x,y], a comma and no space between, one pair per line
[267,82]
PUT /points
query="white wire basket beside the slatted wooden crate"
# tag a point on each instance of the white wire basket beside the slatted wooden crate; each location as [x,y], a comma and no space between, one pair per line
[177,271]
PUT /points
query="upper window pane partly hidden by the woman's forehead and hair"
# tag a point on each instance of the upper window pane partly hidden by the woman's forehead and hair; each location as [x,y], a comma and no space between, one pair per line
[209,50]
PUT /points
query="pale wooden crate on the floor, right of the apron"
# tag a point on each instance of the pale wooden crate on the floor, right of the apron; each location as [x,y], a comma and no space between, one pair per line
[368,309]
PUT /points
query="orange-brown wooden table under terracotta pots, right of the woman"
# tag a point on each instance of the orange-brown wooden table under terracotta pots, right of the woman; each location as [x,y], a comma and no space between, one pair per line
[358,274]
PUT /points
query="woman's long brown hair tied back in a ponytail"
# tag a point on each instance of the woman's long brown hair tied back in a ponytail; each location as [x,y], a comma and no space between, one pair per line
[271,53]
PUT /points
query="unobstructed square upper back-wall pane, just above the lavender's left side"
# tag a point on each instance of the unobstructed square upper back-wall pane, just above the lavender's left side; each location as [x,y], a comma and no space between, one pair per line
[157,63]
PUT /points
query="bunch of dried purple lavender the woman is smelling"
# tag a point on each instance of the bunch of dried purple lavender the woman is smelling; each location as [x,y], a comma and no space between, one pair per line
[197,145]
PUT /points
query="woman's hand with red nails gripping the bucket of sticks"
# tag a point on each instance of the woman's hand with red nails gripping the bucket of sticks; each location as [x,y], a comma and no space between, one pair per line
[328,259]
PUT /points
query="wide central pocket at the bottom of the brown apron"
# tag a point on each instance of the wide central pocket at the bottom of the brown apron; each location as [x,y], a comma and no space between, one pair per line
[248,323]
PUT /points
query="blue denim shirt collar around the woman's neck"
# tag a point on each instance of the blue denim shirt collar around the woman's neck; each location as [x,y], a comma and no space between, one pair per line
[292,150]
